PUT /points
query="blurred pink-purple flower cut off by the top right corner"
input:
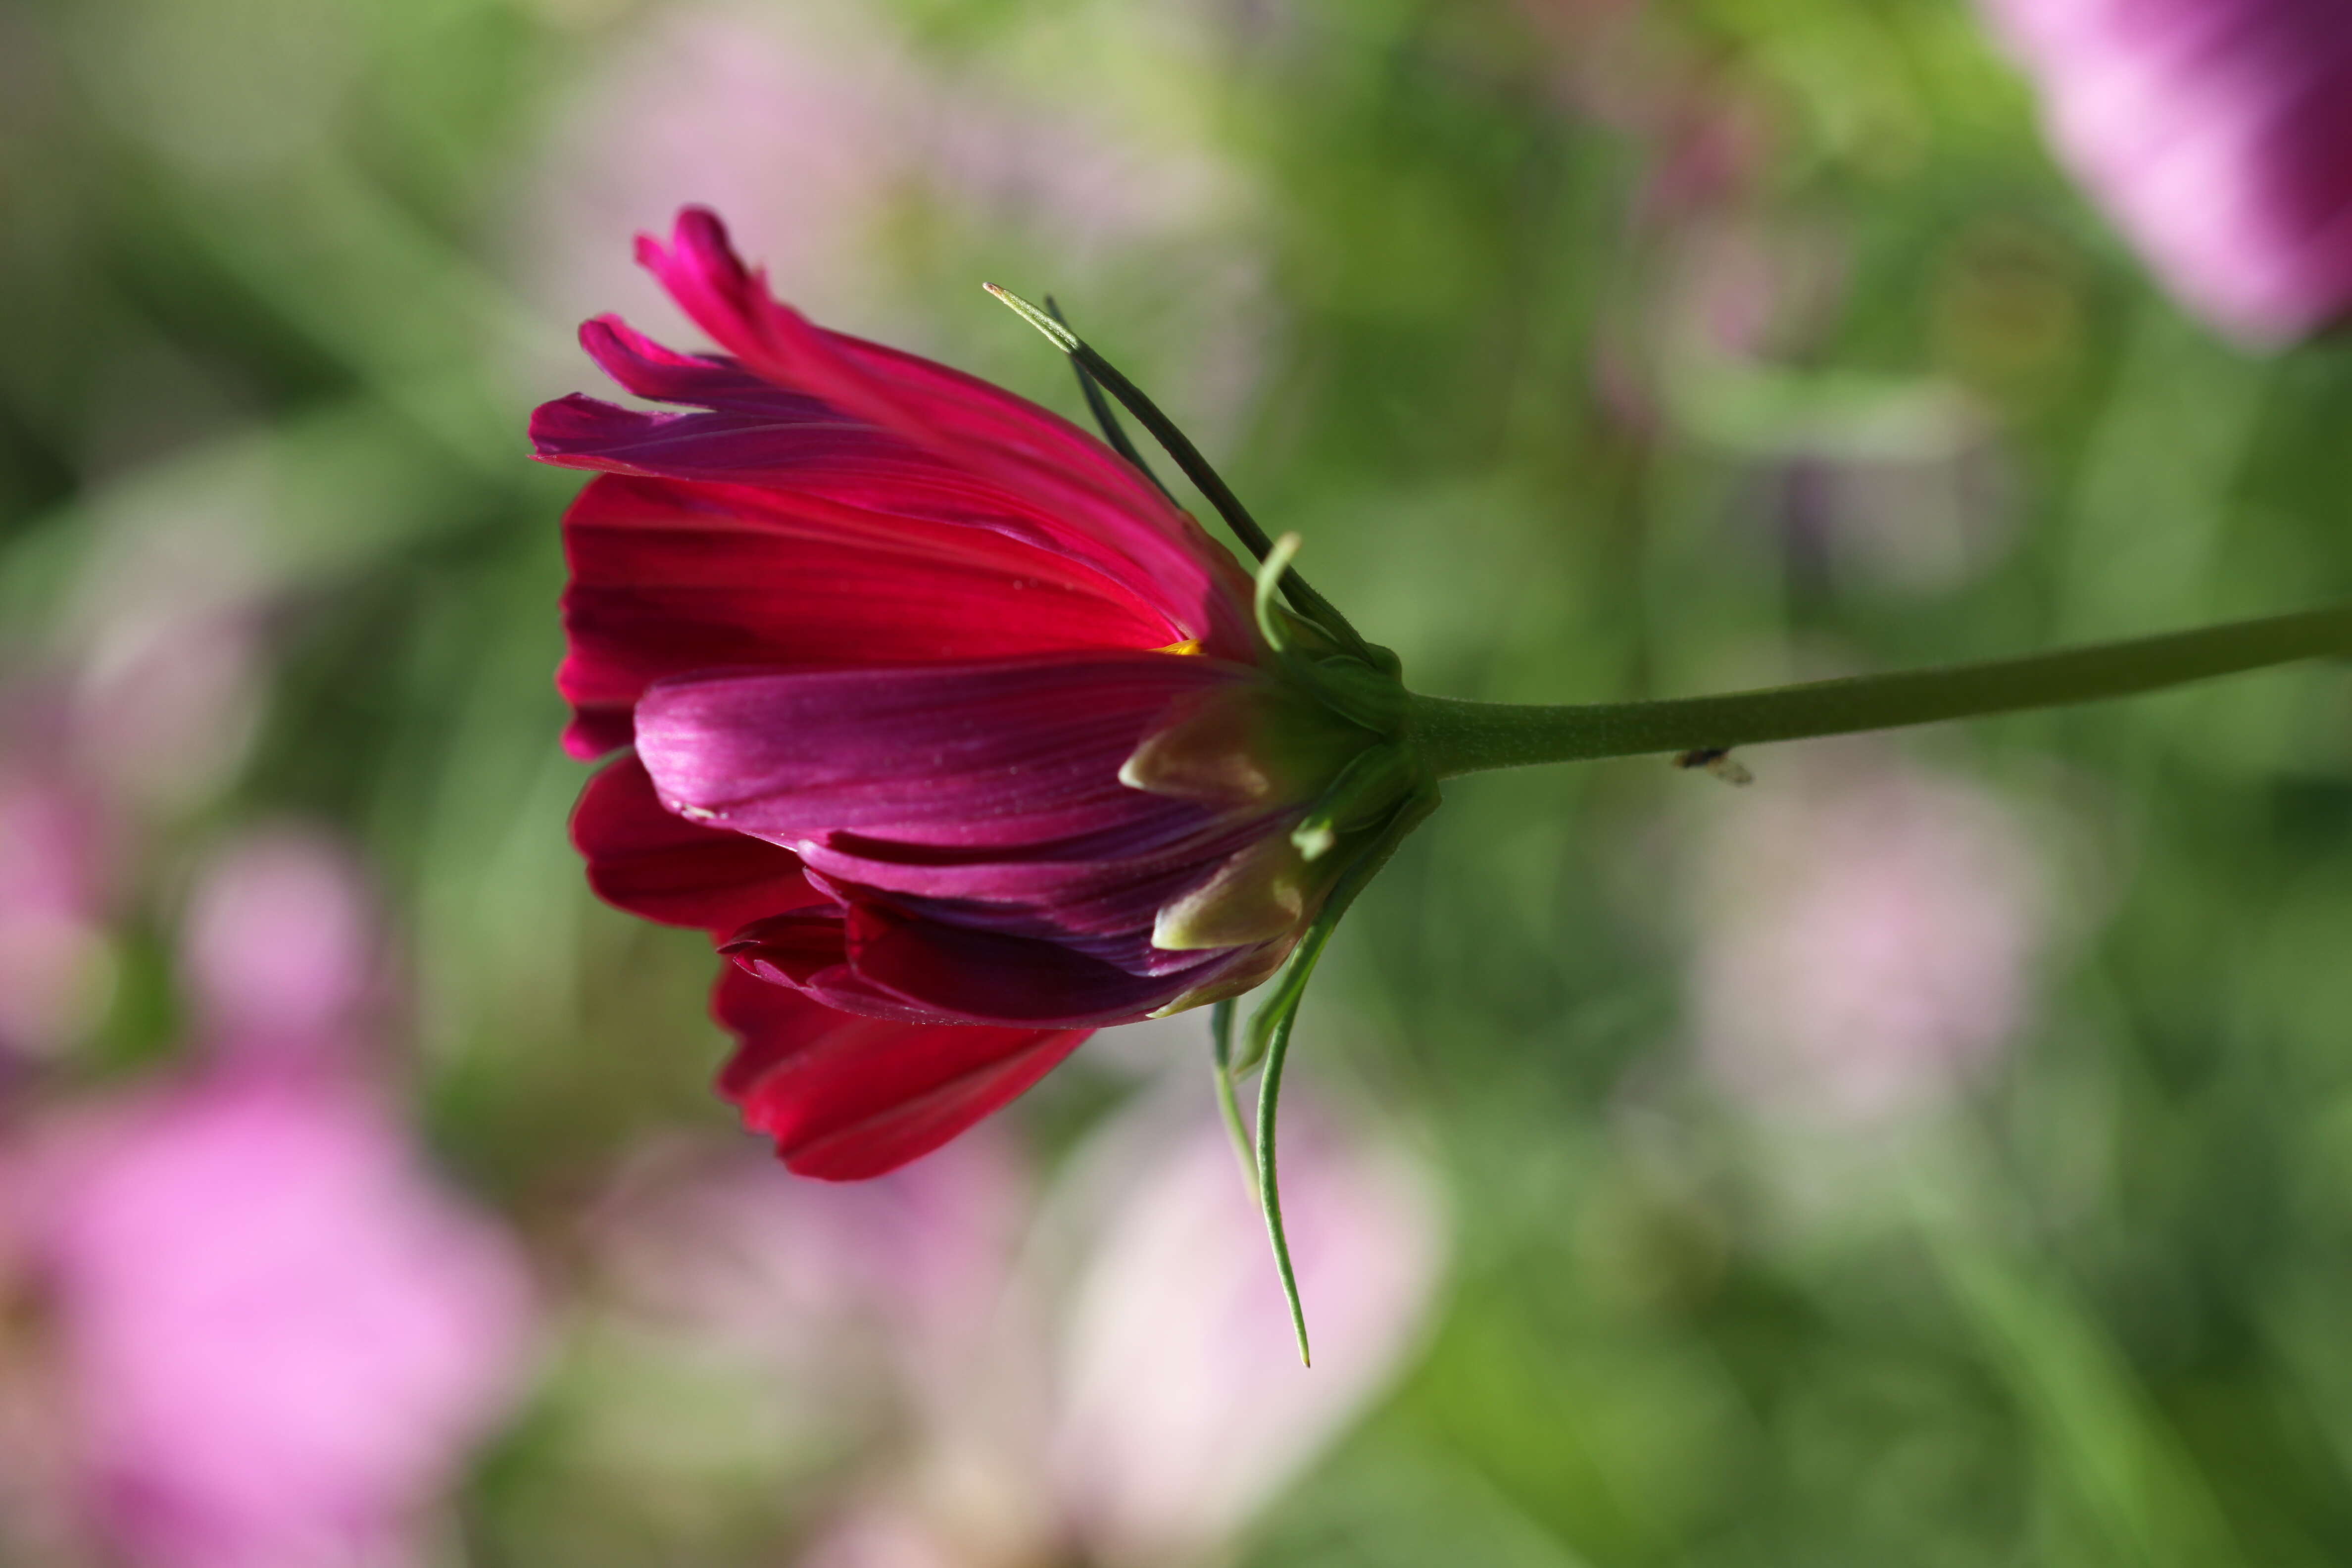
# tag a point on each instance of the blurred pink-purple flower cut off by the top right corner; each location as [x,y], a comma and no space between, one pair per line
[2219,135]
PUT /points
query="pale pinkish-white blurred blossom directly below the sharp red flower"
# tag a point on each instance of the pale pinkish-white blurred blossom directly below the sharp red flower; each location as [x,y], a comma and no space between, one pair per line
[1182,1405]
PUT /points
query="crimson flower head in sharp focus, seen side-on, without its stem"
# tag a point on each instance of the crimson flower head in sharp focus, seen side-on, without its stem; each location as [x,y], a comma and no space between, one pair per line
[949,725]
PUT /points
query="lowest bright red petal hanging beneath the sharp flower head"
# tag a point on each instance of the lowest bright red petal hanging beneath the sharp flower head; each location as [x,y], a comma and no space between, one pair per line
[846,1097]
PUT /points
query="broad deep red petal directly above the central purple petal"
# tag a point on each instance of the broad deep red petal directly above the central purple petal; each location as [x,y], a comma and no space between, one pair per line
[693,577]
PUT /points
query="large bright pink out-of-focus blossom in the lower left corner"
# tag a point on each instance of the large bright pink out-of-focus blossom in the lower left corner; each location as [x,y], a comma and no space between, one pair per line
[279,1334]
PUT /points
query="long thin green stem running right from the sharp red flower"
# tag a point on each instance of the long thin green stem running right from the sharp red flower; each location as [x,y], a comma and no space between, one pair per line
[1474,737]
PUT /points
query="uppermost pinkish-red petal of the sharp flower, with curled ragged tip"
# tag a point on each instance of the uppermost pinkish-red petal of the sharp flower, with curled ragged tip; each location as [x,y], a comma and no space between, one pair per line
[1090,500]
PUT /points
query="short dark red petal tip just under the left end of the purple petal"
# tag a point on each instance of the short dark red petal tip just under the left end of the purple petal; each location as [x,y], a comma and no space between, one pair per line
[667,869]
